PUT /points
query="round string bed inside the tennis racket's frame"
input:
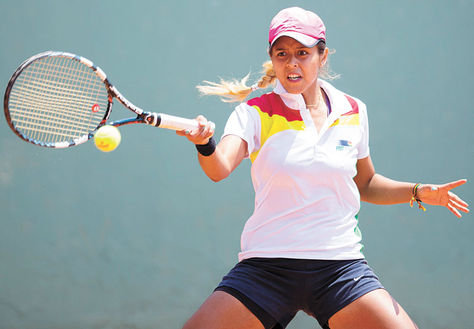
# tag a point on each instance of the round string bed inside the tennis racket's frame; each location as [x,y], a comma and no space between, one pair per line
[57,99]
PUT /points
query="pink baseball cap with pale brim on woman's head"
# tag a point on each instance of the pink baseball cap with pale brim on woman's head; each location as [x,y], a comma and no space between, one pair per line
[302,25]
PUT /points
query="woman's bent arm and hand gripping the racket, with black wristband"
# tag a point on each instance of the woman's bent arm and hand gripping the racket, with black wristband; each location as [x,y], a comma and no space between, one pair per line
[229,153]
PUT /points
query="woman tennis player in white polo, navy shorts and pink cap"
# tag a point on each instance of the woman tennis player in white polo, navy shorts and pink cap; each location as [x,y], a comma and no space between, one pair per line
[311,166]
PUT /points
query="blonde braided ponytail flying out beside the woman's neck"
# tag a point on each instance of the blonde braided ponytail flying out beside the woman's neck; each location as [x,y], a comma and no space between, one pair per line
[238,91]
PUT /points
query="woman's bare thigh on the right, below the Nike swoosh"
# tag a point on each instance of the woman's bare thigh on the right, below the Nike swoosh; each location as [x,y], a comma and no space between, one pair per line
[376,309]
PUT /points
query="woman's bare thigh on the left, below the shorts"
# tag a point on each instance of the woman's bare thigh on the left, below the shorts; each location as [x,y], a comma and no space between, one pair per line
[222,310]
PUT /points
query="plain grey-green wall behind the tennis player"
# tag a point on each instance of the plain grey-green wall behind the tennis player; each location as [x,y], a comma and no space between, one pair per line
[139,237]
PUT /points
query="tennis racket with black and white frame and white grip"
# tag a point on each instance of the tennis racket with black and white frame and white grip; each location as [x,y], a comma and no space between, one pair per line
[58,100]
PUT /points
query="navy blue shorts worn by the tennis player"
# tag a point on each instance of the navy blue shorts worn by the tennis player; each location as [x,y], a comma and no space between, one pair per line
[275,289]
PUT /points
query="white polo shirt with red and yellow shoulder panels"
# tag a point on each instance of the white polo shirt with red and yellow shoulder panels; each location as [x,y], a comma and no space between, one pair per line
[306,201]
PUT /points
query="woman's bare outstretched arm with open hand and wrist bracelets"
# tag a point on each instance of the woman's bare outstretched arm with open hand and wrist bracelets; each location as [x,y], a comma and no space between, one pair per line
[375,188]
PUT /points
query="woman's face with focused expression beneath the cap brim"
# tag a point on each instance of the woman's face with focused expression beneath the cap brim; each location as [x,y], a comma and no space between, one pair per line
[296,66]
